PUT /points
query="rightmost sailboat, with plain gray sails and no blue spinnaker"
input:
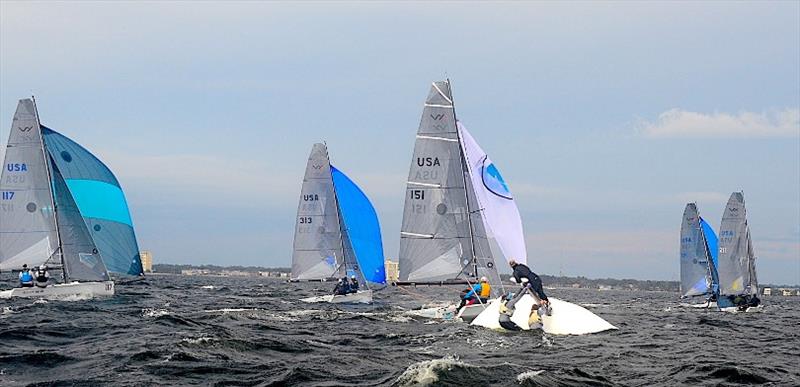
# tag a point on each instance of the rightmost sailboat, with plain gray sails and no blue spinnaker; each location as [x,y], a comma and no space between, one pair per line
[738,285]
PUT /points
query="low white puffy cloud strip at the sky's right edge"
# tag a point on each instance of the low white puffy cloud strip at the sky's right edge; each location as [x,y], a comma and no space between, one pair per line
[677,123]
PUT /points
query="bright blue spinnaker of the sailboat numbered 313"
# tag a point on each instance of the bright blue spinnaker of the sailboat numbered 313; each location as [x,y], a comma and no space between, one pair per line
[362,227]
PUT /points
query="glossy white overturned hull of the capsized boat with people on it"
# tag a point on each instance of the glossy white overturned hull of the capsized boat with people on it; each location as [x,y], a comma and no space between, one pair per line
[566,318]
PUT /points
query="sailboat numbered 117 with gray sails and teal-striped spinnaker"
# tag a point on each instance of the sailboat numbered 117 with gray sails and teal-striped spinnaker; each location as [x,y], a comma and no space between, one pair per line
[61,207]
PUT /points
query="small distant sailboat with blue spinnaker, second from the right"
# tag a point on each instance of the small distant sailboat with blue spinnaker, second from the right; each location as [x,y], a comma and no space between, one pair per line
[698,258]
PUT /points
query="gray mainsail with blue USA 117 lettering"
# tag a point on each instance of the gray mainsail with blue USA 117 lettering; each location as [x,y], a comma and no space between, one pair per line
[27,225]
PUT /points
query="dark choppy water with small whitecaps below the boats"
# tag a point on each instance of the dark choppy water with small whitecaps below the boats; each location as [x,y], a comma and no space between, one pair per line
[177,330]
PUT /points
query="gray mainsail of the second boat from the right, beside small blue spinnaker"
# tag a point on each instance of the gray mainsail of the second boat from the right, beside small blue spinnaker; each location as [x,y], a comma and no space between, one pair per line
[695,274]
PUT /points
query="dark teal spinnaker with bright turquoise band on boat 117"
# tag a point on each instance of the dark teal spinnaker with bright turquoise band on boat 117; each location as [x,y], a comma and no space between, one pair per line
[101,202]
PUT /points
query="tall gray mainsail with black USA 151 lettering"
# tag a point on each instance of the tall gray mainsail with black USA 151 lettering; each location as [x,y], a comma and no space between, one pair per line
[436,238]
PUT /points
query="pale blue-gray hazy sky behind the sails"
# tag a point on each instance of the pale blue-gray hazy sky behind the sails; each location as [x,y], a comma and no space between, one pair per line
[604,118]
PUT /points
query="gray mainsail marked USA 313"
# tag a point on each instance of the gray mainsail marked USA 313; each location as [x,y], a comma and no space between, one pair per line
[318,248]
